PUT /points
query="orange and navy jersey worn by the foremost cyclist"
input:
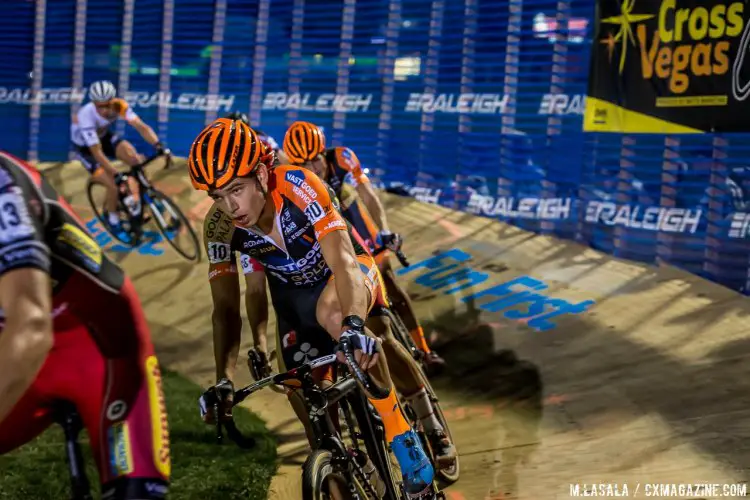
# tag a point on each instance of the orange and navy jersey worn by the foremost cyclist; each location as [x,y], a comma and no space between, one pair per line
[304,213]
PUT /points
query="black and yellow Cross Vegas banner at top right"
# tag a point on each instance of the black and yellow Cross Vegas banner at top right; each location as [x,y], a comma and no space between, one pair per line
[670,66]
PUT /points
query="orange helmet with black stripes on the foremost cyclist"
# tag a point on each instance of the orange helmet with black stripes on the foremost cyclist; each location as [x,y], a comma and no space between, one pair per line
[223,151]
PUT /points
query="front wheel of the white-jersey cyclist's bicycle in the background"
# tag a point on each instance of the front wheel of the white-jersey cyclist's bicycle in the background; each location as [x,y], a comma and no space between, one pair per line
[173,225]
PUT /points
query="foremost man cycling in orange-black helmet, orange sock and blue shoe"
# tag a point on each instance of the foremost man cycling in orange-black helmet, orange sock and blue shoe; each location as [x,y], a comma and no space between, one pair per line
[321,284]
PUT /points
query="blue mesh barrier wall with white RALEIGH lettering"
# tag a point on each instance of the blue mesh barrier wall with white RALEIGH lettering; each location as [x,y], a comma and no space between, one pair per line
[474,104]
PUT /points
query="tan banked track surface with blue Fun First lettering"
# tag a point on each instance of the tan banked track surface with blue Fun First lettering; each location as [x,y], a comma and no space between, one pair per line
[649,384]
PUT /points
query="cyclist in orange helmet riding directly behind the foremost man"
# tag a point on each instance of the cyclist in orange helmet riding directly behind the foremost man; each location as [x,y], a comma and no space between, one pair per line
[305,145]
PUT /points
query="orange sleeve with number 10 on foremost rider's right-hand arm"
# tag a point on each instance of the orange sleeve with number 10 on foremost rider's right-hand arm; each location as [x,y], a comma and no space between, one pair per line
[307,191]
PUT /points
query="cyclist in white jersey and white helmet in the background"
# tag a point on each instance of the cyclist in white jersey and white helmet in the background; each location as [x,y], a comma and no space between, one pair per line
[96,145]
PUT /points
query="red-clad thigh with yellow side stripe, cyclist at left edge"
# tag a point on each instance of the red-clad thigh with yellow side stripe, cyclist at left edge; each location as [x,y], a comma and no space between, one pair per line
[129,433]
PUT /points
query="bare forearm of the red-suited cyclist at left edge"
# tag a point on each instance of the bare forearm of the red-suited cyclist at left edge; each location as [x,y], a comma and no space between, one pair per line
[22,354]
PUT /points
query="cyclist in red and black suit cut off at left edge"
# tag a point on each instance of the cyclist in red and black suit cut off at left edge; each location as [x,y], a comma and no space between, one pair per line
[73,330]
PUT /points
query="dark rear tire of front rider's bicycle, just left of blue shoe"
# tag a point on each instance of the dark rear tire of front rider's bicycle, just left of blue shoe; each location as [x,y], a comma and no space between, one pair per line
[375,444]
